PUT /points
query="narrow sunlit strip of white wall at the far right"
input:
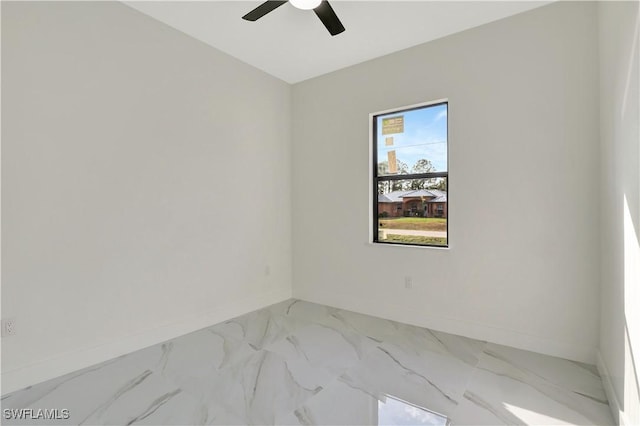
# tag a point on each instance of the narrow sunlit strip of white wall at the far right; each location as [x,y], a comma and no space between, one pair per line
[619,361]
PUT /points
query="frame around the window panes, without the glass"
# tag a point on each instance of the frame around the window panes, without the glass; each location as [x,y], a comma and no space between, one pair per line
[374,179]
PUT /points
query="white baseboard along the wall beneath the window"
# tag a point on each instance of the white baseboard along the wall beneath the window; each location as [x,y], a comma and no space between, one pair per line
[502,336]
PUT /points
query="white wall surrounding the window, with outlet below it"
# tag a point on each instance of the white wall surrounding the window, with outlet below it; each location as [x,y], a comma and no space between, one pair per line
[524,196]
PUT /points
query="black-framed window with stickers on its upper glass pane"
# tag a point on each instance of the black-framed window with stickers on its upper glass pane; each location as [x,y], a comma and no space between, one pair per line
[410,175]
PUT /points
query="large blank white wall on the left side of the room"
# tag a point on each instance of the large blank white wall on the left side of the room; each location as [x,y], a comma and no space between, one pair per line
[145,185]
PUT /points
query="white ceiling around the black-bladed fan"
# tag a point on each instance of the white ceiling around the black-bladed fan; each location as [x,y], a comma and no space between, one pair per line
[293,45]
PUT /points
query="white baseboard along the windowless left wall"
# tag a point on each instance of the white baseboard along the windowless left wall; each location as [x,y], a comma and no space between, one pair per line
[54,367]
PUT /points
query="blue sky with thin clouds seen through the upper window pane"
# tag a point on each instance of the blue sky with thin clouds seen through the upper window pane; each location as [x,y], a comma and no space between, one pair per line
[424,137]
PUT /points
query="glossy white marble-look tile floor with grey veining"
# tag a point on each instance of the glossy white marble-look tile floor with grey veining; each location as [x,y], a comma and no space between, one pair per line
[302,363]
